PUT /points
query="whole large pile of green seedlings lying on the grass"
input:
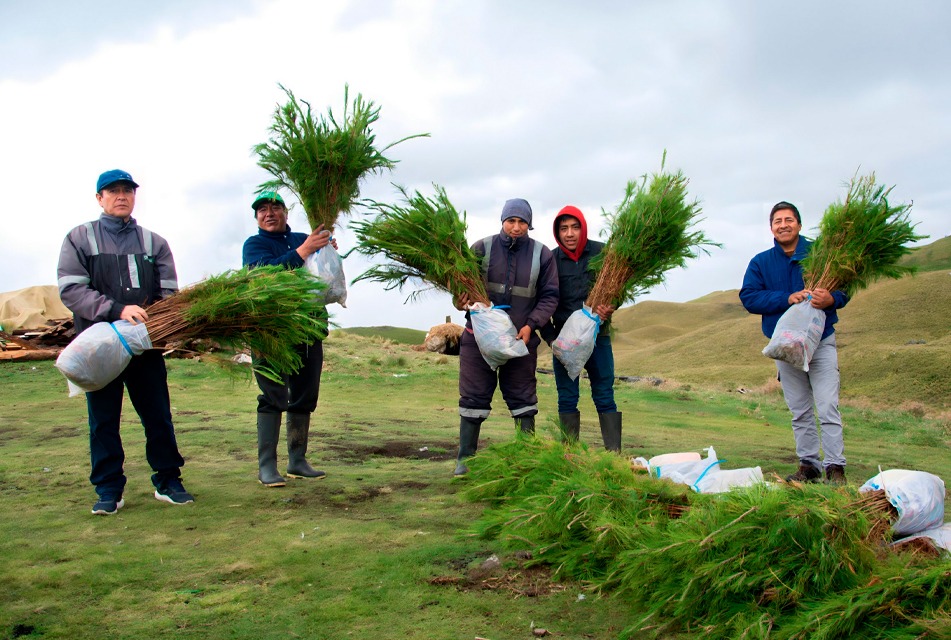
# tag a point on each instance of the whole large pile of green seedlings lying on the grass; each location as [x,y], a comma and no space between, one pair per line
[757,562]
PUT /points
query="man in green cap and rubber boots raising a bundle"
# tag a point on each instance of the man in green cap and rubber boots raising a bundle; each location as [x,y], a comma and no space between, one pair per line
[275,244]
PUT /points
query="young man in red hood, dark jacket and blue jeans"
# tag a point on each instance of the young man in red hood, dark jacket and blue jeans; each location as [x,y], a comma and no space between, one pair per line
[572,258]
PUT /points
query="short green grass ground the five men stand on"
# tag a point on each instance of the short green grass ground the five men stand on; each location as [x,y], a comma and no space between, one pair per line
[380,548]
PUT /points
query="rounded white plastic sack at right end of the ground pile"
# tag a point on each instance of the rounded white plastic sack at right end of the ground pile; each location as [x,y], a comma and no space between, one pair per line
[917,495]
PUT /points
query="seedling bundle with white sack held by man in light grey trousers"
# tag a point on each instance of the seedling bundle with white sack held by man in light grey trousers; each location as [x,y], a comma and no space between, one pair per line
[860,240]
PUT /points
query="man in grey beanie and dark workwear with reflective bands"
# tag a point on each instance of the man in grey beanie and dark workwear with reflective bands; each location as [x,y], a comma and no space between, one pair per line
[520,274]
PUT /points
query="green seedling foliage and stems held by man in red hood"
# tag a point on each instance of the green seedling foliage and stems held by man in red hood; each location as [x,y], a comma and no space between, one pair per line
[651,232]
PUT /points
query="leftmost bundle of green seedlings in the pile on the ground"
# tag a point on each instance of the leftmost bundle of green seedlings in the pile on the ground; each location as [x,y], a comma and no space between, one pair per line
[572,507]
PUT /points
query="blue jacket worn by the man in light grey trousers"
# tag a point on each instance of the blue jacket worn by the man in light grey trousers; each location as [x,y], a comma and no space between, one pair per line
[772,277]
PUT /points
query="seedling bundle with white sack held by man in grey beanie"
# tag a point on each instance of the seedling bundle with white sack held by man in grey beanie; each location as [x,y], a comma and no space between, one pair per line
[424,241]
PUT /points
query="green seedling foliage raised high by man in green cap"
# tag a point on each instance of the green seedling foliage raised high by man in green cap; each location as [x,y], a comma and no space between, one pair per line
[320,159]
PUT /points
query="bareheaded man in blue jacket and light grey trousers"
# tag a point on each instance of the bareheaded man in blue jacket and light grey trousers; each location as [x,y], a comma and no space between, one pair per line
[773,283]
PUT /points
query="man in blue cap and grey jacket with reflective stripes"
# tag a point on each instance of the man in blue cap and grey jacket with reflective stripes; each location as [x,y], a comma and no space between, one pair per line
[110,269]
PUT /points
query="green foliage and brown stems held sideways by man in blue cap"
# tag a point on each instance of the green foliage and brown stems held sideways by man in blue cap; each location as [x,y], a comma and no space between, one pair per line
[267,309]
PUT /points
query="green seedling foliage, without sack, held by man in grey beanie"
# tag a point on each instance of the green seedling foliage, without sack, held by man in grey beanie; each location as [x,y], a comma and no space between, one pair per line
[423,241]
